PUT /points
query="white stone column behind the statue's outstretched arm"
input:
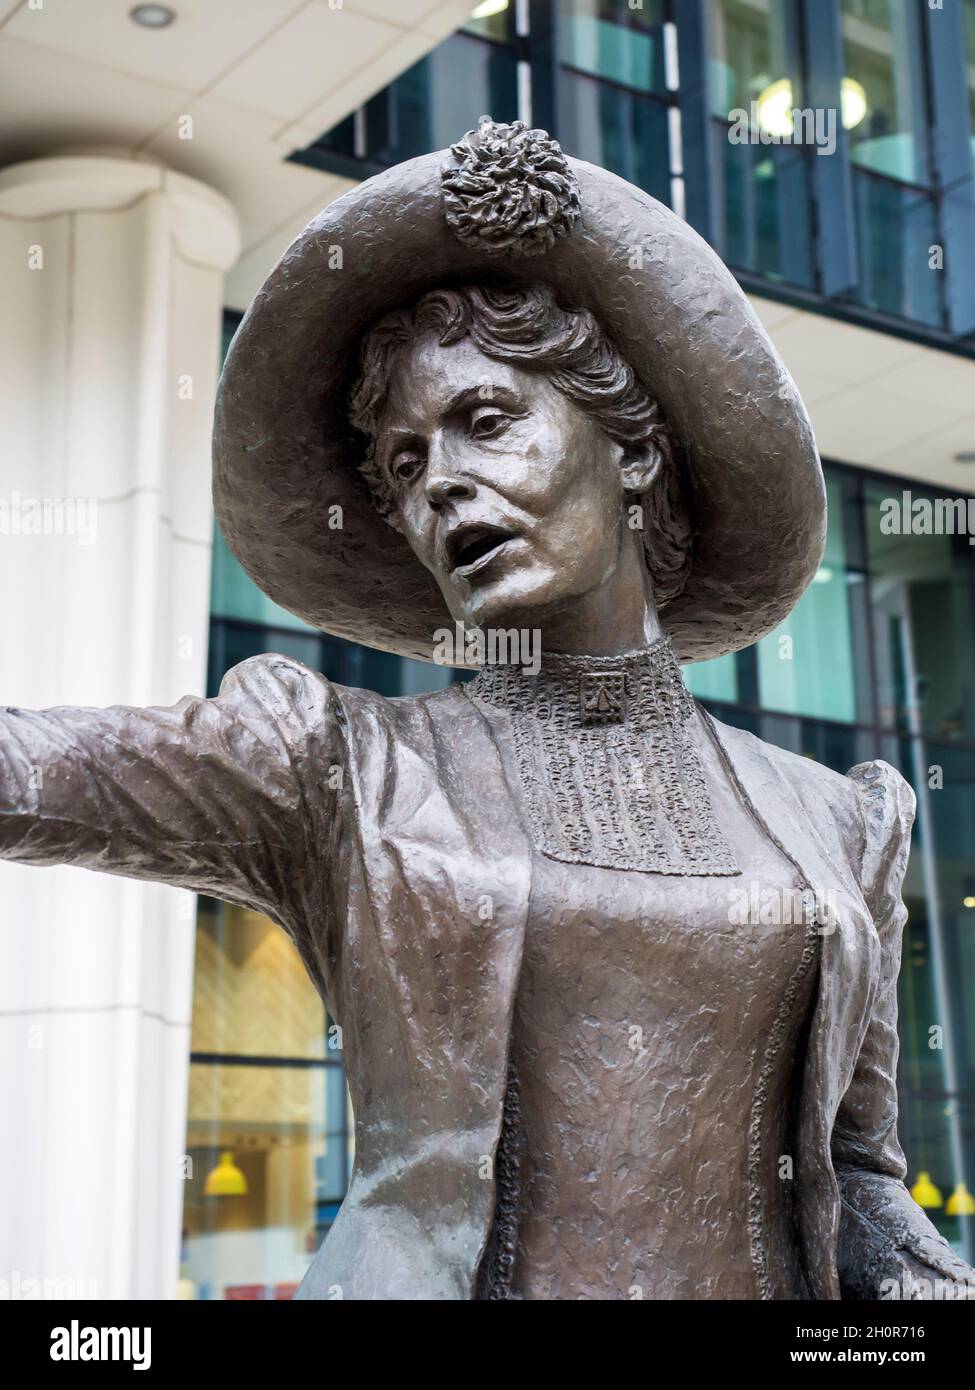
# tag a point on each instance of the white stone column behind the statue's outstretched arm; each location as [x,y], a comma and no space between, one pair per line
[112,291]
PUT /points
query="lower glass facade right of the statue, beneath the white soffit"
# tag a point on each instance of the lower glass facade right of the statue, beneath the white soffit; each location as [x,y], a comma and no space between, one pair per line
[877,662]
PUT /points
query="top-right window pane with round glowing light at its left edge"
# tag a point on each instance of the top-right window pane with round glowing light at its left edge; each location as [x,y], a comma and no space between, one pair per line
[883,66]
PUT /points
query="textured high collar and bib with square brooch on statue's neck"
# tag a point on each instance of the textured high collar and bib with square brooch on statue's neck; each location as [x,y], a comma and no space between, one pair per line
[609,764]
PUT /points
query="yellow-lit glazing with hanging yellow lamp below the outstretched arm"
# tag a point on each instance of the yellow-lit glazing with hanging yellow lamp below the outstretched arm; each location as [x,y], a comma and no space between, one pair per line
[269,1127]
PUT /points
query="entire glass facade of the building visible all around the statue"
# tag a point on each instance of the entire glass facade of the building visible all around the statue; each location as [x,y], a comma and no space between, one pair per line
[874,662]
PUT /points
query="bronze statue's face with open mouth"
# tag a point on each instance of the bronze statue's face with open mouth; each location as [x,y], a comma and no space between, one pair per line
[507,491]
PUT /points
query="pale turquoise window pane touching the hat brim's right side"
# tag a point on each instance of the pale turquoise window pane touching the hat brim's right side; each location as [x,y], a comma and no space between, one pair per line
[806,667]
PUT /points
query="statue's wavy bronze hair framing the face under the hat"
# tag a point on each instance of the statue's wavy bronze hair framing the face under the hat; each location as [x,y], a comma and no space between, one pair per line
[526,327]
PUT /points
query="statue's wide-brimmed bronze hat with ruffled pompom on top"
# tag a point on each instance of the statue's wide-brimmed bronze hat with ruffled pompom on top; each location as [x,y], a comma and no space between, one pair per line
[506,204]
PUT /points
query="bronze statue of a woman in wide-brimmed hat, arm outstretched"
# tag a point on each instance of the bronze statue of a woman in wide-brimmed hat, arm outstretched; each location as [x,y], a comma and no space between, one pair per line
[508,391]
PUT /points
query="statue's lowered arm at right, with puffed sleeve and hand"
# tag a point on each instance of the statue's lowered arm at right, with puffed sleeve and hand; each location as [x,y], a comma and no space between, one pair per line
[884,1234]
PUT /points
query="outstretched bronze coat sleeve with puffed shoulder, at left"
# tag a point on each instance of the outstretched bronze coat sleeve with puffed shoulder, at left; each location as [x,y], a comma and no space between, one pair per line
[225,796]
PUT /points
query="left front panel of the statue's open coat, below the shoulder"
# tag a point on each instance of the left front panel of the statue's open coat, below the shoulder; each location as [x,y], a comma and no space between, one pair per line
[436,889]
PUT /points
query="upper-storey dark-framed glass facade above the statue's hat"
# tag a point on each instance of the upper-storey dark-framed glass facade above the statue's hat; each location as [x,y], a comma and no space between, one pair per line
[731,124]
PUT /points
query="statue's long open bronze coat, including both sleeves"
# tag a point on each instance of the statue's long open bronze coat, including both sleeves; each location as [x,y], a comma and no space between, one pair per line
[375,831]
